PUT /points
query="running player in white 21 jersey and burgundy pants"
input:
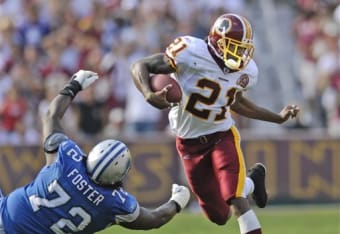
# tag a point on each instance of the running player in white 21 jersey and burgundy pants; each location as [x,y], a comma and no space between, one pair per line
[213,75]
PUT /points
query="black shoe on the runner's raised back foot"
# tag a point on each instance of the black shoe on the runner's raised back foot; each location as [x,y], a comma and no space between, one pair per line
[258,173]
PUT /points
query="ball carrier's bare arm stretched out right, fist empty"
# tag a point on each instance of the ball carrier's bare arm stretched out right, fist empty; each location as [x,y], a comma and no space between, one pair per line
[245,107]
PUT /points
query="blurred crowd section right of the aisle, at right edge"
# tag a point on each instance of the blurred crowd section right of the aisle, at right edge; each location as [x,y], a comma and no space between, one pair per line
[316,30]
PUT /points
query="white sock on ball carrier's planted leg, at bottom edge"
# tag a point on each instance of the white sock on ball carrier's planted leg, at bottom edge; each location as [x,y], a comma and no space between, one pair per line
[249,223]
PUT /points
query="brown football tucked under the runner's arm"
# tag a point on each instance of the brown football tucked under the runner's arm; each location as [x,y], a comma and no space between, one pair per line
[159,81]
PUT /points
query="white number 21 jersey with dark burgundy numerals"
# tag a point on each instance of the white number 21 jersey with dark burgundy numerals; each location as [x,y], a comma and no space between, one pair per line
[207,90]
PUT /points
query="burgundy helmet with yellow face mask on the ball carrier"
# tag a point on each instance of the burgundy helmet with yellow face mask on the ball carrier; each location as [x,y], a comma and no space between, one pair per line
[231,39]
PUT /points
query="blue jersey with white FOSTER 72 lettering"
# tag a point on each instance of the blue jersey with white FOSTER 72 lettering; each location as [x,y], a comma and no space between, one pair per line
[63,199]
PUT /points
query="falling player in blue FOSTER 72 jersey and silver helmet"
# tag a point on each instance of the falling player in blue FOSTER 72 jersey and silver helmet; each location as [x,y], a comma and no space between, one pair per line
[79,193]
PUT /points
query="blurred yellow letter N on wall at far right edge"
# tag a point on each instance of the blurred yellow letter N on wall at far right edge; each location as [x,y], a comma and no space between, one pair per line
[305,184]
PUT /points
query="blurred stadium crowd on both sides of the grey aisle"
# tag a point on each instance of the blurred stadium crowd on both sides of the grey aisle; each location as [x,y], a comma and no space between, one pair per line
[43,42]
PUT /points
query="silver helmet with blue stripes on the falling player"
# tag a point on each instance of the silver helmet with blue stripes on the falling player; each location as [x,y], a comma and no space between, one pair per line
[108,162]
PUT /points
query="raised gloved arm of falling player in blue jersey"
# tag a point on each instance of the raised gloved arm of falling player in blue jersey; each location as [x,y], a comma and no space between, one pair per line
[51,121]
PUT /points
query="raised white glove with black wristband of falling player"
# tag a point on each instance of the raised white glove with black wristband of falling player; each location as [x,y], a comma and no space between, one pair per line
[80,80]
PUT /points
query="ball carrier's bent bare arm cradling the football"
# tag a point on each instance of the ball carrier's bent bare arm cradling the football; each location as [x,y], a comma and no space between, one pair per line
[141,70]
